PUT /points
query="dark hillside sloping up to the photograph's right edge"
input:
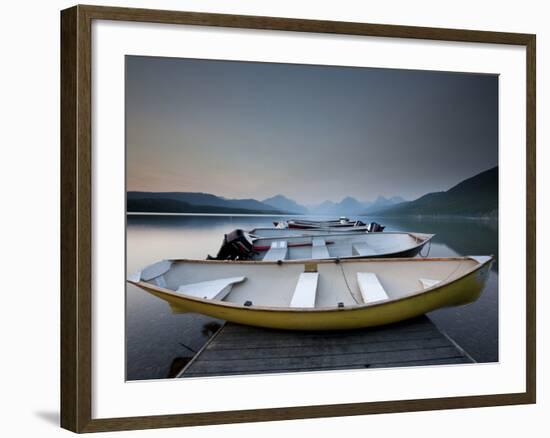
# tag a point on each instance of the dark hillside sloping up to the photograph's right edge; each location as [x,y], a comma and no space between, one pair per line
[476,196]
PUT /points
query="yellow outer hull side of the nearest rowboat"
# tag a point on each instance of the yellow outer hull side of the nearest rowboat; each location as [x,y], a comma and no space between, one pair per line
[461,291]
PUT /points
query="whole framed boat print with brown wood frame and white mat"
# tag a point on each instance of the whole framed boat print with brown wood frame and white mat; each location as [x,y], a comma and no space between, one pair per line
[304,218]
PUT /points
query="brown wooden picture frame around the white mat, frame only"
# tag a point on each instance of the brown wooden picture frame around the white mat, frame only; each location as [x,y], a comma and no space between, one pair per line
[76,217]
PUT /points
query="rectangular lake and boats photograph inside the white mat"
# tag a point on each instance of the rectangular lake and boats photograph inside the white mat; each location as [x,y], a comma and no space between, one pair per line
[286,218]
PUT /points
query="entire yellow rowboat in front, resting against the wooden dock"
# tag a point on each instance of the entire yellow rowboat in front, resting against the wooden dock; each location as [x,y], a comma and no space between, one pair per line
[320,295]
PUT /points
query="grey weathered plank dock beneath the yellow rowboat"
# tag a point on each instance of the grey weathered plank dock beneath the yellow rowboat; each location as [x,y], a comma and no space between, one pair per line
[237,349]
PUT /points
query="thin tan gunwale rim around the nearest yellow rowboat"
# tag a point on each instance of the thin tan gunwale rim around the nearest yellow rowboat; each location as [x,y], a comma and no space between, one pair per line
[351,308]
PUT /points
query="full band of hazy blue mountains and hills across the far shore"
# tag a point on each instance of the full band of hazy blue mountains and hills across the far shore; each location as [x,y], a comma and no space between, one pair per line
[475,196]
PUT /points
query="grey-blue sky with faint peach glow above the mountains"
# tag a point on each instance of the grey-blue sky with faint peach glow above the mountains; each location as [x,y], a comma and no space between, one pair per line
[312,133]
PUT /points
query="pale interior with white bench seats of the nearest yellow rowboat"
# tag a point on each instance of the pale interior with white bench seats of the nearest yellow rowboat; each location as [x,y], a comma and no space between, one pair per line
[306,285]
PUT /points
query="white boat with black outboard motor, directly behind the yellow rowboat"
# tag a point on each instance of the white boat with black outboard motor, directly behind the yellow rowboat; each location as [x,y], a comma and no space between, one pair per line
[240,245]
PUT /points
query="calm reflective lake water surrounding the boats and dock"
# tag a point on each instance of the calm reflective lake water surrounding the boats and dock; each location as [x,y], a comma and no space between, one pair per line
[159,343]
